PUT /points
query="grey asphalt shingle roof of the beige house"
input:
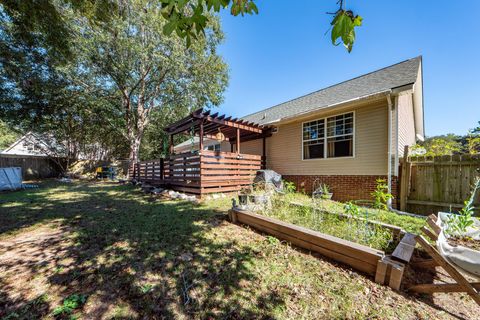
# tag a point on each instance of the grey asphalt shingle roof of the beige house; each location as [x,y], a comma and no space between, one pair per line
[391,77]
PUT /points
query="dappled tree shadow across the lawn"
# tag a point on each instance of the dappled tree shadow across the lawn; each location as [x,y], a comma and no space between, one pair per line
[155,260]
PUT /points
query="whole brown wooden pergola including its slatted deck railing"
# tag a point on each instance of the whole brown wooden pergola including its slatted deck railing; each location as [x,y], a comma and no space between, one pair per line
[203,171]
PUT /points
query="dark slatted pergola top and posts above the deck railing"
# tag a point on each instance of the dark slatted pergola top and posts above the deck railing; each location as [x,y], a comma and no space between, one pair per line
[204,124]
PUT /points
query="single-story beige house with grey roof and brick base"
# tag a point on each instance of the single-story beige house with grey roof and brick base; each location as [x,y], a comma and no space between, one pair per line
[346,135]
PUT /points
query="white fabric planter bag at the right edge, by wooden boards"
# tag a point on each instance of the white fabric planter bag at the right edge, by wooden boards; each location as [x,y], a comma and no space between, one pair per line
[462,257]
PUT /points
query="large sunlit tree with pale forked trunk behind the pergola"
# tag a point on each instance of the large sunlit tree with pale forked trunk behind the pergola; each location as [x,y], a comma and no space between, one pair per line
[129,58]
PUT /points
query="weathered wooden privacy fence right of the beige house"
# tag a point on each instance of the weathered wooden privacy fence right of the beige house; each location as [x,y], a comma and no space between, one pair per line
[432,184]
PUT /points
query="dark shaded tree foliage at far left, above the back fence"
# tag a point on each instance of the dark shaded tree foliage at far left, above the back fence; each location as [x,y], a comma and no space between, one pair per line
[37,95]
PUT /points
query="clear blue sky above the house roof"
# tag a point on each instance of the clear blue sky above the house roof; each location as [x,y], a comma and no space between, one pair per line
[283,53]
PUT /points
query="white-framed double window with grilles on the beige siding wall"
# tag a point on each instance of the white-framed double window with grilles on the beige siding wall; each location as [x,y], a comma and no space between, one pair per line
[330,137]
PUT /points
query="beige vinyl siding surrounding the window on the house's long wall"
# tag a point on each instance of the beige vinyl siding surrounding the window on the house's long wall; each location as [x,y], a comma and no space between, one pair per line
[284,148]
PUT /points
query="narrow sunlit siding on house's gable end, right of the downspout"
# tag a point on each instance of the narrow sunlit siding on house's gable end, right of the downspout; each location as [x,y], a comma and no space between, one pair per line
[406,122]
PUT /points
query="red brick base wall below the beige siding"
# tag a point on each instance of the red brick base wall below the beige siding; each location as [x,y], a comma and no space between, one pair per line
[344,188]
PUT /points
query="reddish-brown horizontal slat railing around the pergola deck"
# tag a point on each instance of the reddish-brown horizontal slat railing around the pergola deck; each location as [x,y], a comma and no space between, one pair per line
[207,172]
